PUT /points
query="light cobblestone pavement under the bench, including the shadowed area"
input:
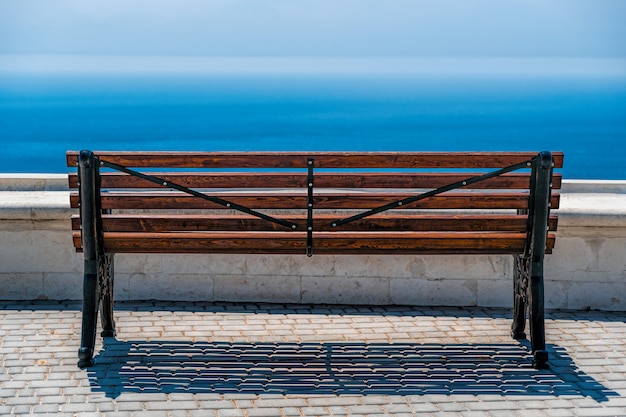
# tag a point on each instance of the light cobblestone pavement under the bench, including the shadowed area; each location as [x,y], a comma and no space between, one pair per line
[221,359]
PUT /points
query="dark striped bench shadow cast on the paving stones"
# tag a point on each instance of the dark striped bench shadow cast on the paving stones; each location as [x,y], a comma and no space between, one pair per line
[335,368]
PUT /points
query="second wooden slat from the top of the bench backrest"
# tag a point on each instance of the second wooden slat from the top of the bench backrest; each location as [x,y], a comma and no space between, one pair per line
[322,180]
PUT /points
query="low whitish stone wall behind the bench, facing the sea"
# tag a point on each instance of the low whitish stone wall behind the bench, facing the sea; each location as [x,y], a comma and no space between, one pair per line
[586,270]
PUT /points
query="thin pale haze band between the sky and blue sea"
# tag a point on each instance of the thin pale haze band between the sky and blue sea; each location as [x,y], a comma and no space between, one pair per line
[311,65]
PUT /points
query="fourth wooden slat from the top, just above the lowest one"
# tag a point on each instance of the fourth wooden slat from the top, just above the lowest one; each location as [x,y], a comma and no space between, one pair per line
[387,222]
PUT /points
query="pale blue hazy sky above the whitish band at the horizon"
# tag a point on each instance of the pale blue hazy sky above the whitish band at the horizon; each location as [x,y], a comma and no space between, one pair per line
[332,28]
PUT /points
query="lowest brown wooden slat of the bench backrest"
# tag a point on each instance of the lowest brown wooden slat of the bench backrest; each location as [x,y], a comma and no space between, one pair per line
[324,242]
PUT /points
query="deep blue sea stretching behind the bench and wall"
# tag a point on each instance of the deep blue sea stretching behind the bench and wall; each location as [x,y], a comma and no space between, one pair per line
[43,114]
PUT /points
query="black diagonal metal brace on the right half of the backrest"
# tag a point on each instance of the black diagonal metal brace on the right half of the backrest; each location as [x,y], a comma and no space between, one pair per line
[413,199]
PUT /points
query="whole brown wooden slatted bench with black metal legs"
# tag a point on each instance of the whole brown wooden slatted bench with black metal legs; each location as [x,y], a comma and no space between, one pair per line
[328,203]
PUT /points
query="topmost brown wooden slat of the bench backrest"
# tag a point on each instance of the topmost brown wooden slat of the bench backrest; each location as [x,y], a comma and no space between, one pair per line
[322,159]
